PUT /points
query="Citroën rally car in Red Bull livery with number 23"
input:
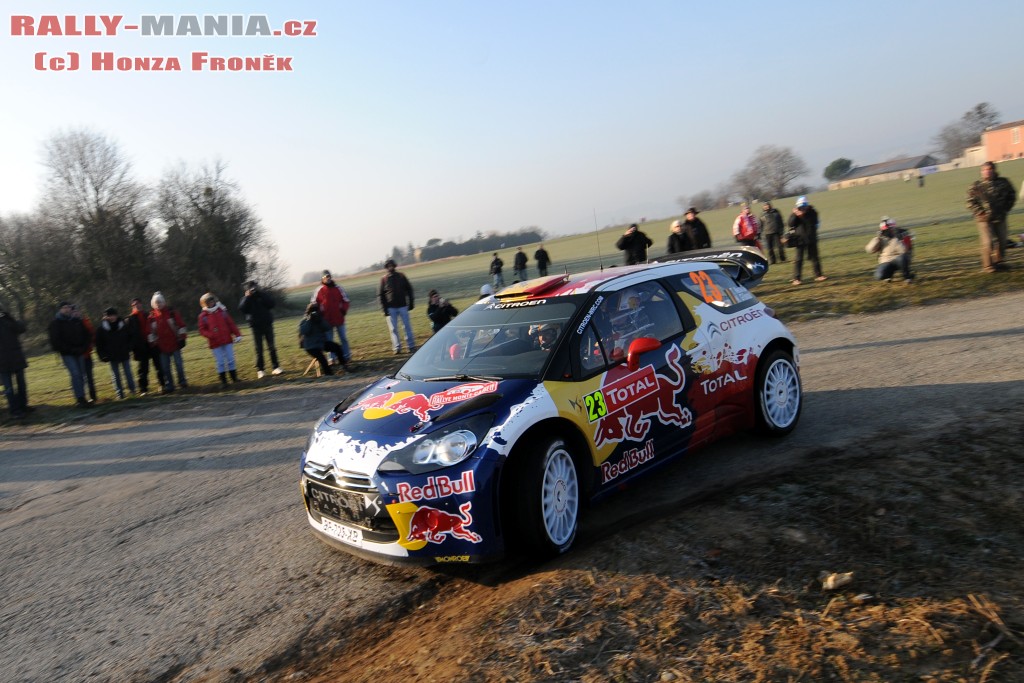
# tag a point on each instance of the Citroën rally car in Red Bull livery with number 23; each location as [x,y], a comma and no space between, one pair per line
[548,396]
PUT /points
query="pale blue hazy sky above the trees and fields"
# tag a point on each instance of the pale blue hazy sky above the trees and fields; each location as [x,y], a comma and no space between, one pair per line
[405,121]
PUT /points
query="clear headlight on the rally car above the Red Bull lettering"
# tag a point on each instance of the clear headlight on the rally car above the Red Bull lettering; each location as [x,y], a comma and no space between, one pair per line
[444,448]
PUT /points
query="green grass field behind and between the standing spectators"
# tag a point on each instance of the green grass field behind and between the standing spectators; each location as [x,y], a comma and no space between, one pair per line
[947,262]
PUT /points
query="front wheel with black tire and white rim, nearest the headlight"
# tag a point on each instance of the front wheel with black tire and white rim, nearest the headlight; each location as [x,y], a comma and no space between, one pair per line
[547,493]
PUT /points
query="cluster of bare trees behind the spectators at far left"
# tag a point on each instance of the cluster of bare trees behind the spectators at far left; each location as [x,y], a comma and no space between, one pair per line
[101,237]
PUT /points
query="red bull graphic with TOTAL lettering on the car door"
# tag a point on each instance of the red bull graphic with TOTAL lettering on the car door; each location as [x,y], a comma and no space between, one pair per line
[626,402]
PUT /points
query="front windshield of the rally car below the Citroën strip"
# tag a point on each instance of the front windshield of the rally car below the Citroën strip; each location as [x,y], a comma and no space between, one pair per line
[494,340]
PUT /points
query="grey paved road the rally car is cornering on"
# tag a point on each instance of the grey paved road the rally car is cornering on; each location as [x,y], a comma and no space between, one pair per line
[169,544]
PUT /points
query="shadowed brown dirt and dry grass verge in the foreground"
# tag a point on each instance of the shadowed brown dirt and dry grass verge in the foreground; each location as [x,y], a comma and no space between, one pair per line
[732,589]
